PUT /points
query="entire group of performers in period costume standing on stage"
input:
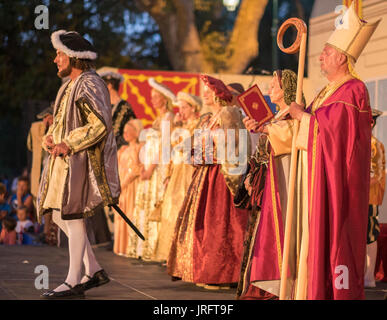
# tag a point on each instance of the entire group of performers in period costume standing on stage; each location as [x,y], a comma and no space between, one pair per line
[211,221]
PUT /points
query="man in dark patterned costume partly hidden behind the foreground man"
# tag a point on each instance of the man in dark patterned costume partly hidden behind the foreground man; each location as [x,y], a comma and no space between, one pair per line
[122,112]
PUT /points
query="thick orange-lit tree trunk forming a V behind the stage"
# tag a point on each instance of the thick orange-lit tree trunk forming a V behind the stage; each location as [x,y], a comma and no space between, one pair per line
[176,21]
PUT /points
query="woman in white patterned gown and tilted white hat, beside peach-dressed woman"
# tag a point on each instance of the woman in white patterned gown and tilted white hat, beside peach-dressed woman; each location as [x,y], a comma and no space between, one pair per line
[151,187]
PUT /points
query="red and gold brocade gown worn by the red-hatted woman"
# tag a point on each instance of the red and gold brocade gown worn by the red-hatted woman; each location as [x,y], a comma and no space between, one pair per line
[208,241]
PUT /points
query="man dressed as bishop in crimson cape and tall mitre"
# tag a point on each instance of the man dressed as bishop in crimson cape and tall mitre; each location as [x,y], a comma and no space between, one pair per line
[335,130]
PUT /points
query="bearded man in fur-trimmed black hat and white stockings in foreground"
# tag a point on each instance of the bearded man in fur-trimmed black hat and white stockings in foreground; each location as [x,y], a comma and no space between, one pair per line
[82,173]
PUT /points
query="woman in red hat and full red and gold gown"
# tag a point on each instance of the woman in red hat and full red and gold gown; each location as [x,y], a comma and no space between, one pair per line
[208,242]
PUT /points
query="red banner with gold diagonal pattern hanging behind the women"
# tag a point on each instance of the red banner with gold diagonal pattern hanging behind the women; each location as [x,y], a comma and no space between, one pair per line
[136,90]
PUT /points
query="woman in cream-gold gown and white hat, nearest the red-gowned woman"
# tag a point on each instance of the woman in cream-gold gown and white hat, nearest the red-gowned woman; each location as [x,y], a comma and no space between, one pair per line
[180,175]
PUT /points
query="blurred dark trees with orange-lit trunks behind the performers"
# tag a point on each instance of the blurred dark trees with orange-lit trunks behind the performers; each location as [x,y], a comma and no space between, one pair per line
[185,35]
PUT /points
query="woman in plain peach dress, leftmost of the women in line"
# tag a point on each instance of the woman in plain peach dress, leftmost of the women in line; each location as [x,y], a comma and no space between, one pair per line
[129,168]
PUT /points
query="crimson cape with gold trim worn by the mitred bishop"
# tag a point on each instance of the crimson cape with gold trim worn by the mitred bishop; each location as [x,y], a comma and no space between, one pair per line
[339,151]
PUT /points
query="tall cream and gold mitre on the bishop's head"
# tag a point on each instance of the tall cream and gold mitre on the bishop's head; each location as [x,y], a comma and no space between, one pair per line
[352,34]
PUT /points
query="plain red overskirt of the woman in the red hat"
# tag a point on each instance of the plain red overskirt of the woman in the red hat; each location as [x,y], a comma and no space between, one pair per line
[218,236]
